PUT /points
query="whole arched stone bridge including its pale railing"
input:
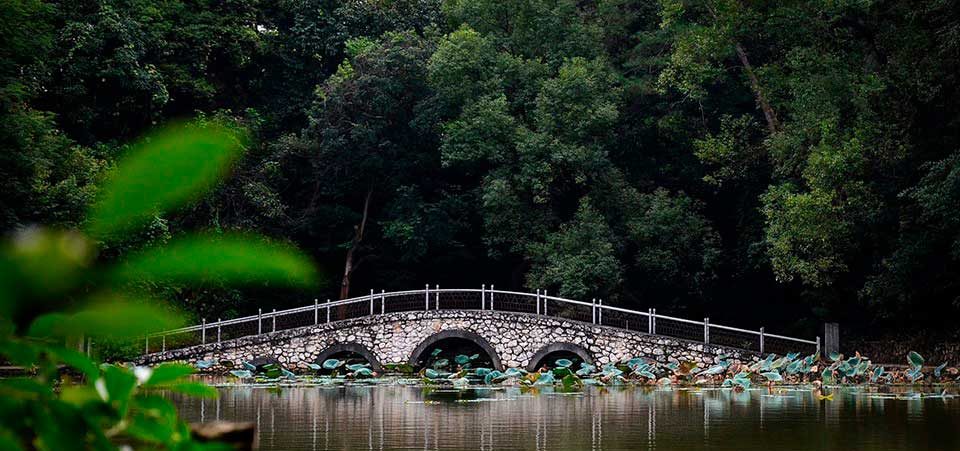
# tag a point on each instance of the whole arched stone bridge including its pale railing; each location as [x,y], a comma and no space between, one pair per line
[514,328]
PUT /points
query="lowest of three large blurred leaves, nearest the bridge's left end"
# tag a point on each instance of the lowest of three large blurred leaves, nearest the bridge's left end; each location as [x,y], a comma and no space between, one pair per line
[114,318]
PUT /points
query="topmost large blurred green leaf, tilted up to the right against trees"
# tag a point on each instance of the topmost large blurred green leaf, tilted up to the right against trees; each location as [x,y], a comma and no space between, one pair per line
[163,171]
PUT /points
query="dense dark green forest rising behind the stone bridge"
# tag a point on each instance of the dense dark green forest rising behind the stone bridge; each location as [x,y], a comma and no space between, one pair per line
[759,162]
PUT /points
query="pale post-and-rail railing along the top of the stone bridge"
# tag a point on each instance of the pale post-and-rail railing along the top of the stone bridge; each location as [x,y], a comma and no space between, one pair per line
[539,303]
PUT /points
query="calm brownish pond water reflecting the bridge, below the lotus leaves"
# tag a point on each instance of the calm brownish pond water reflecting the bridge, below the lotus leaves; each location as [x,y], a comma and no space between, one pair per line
[403,417]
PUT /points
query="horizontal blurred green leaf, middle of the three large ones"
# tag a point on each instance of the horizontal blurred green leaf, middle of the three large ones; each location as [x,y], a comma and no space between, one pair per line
[229,258]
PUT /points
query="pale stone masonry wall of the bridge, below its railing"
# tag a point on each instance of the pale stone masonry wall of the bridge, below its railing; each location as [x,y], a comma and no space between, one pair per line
[391,338]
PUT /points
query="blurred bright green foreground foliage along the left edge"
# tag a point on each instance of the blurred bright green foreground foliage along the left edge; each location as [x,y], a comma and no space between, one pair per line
[53,298]
